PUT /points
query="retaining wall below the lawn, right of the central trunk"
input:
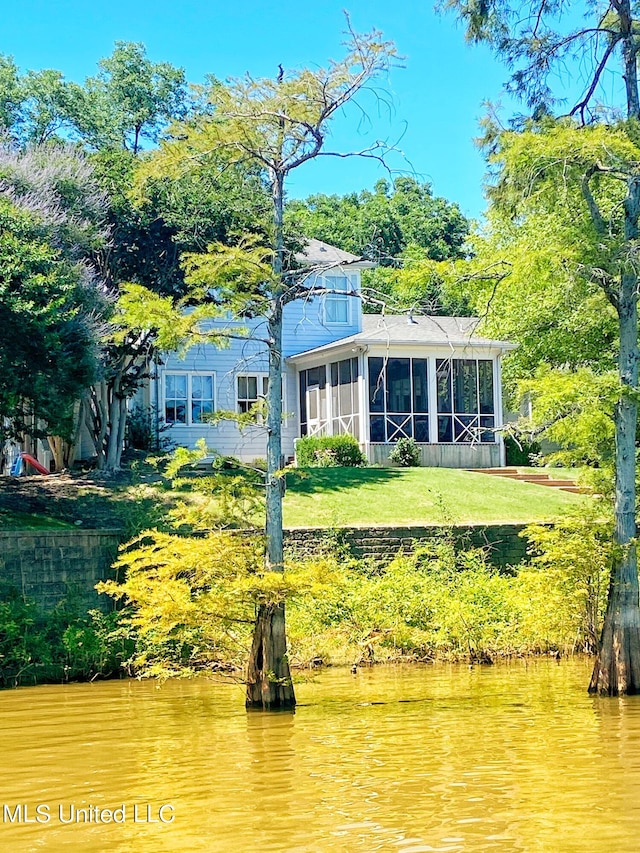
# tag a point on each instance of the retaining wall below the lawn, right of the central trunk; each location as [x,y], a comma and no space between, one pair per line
[503,543]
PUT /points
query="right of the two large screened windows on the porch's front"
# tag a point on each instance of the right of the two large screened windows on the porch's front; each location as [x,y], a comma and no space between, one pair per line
[465,400]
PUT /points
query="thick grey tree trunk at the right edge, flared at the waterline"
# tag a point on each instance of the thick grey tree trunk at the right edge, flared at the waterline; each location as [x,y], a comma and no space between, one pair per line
[617,668]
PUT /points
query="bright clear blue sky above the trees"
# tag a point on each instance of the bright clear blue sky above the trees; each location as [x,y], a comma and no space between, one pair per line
[436,98]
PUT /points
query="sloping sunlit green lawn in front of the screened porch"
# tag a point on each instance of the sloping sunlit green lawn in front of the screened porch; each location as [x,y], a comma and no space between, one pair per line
[337,497]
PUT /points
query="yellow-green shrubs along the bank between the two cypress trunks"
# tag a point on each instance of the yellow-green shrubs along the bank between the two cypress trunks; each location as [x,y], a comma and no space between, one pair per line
[438,603]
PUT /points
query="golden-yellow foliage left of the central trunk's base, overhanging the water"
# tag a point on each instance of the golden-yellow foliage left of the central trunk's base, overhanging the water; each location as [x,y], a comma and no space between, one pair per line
[192,600]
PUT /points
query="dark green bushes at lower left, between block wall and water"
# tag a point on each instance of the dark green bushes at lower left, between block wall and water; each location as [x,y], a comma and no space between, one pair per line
[58,646]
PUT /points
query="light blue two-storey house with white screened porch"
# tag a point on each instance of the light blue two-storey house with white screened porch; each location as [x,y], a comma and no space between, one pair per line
[378,377]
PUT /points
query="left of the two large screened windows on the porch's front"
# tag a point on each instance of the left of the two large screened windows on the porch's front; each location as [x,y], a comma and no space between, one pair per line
[398,399]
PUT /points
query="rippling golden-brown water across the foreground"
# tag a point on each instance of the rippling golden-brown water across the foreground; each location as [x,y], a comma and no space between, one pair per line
[412,759]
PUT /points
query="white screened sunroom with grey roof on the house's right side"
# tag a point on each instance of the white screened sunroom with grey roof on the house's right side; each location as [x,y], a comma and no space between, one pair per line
[428,378]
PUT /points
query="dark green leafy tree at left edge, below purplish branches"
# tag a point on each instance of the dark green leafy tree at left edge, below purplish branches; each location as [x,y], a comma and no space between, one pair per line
[46,347]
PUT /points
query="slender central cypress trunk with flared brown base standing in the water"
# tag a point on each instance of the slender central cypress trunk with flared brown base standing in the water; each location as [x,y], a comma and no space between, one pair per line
[269,685]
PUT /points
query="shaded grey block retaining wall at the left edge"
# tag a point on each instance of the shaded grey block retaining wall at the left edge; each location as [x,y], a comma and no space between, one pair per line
[50,565]
